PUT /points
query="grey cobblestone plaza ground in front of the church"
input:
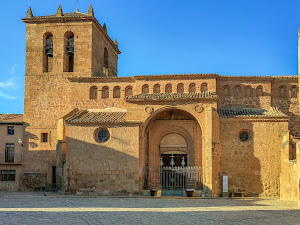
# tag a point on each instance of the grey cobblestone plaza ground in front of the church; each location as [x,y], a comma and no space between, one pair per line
[39,208]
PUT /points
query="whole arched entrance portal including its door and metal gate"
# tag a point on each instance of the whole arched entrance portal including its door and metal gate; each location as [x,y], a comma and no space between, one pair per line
[172,153]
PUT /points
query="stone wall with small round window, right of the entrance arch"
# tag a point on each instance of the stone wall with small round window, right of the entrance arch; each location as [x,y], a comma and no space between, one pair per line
[253,167]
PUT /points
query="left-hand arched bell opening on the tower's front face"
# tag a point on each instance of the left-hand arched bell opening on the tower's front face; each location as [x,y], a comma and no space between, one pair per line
[48,56]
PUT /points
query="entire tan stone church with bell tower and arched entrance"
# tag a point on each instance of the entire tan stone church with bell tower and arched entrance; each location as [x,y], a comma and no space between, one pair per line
[88,130]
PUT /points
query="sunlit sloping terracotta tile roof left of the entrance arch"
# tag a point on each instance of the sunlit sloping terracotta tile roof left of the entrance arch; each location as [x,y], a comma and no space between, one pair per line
[85,116]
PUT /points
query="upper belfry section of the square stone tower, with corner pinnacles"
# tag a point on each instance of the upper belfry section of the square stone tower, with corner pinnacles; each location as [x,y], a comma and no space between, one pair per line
[69,44]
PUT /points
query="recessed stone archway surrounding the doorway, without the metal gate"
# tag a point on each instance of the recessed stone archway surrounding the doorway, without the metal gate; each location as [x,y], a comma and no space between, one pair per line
[161,129]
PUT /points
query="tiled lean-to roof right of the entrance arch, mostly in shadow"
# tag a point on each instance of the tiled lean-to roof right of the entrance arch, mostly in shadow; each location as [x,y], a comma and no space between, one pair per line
[251,112]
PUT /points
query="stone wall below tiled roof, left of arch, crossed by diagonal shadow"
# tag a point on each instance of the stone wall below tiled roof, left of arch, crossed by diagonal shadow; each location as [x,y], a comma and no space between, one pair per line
[110,167]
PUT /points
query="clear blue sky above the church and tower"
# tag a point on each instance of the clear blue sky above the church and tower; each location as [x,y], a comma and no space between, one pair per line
[233,37]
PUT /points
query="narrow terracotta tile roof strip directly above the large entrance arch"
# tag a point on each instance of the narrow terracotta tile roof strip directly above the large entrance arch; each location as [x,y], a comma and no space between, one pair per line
[169,96]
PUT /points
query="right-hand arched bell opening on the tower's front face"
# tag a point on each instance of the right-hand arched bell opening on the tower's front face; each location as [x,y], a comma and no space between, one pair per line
[69,53]
